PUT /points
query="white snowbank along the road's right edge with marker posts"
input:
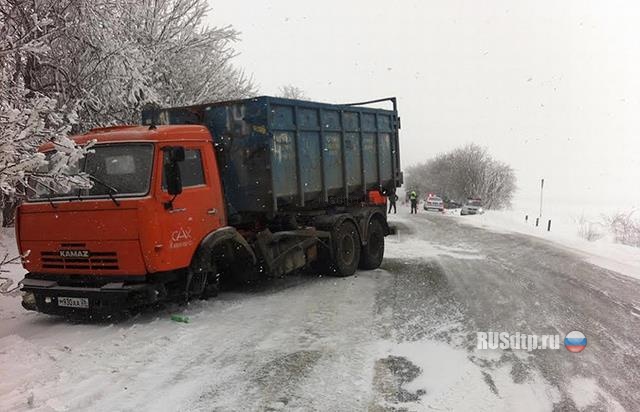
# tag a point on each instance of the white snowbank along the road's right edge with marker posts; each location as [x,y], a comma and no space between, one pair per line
[604,253]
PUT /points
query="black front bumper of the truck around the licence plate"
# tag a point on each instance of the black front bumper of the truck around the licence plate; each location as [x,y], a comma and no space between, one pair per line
[110,298]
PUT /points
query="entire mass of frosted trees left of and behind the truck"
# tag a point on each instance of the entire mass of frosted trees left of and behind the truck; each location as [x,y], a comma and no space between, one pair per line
[69,65]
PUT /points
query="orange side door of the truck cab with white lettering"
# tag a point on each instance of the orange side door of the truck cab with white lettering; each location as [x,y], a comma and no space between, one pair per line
[197,211]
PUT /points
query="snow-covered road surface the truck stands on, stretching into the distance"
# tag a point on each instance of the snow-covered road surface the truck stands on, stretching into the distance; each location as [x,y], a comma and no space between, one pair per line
[403,336]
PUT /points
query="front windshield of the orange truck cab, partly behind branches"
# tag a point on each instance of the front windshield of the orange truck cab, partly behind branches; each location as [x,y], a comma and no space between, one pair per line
[124,169]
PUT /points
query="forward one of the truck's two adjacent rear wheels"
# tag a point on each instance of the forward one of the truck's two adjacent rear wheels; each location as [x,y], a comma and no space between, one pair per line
[346,249]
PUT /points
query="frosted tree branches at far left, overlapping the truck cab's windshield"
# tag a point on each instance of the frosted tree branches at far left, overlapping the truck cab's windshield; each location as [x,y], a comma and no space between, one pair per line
[29,117]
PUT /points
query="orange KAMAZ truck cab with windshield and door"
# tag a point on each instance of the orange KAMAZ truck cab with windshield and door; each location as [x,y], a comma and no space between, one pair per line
[127,226]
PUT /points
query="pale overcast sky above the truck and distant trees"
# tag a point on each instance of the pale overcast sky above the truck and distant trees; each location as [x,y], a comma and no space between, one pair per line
[550,87]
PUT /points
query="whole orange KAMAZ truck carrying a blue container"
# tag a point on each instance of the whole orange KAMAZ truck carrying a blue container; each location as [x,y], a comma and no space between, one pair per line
[198,195]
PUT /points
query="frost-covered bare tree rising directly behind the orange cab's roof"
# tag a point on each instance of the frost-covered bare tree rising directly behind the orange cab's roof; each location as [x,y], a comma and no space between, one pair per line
[127,54]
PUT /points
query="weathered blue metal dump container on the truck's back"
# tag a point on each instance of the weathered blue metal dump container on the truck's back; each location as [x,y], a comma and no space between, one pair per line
[277,155]
